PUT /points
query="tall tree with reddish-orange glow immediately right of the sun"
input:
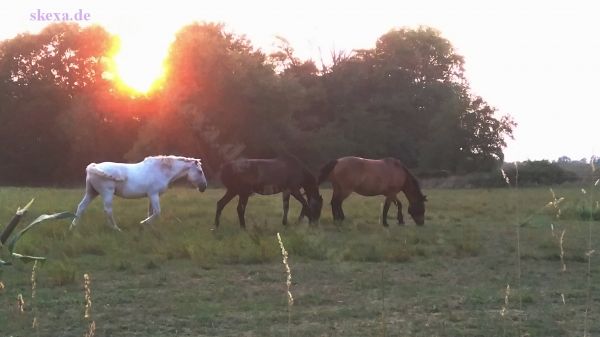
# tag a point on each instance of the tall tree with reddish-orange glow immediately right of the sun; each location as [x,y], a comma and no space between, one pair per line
[220,93]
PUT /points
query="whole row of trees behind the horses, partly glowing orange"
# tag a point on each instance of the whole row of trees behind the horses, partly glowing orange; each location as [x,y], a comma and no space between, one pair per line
[223,98]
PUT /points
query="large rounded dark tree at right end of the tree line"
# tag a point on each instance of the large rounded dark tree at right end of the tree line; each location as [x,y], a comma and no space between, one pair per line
[408,98]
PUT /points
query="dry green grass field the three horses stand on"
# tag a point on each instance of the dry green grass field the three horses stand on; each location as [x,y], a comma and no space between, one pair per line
[179,278]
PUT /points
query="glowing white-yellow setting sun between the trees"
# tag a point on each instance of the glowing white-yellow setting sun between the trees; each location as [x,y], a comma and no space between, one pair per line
[137,64]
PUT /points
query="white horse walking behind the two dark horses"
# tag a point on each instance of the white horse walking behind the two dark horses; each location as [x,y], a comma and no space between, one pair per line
[150,178]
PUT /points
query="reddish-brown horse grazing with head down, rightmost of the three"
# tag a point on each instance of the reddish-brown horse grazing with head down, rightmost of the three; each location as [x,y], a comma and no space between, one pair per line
[370,177]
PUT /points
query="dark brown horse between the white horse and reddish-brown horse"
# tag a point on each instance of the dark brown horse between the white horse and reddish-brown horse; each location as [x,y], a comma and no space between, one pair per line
[270,176]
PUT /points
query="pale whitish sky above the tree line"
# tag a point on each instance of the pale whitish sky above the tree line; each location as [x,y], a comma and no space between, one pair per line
[538,61]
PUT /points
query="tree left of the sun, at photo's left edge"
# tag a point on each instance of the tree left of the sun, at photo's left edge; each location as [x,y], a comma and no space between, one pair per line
[39,76]
